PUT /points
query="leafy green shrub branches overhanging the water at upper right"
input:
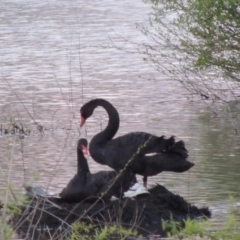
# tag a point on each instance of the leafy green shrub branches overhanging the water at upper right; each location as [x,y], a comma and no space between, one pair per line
[199,43]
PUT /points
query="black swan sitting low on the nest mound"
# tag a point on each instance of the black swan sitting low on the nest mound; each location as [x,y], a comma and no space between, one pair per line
[86,185]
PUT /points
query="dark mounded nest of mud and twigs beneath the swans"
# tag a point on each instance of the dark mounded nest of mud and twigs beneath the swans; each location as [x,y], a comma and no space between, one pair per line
[145,212]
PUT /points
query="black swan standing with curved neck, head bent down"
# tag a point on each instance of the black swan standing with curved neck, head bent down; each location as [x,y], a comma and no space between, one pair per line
[129,151]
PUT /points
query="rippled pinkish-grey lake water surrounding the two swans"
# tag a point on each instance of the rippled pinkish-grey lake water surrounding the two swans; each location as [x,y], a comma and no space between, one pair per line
[56,55]
